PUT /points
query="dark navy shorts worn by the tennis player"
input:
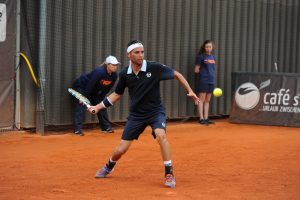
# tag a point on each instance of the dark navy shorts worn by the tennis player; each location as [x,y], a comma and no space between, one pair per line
[136,126]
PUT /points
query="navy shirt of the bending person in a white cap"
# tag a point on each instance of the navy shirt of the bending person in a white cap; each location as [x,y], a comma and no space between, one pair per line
[97,82]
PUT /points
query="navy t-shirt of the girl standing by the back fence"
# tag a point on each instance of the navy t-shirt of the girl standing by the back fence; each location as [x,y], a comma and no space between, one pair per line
[207,68]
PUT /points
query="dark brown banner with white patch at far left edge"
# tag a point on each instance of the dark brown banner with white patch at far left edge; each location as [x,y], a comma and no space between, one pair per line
[7,61]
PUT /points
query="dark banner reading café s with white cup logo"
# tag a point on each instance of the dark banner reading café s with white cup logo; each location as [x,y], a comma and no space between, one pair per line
[266,98]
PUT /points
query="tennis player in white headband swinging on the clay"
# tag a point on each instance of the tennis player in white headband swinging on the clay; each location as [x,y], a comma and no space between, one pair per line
[142,79]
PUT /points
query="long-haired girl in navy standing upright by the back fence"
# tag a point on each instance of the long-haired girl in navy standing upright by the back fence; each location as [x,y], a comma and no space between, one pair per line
[205,67]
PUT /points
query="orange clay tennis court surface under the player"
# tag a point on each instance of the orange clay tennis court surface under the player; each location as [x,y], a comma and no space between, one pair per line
[221,161]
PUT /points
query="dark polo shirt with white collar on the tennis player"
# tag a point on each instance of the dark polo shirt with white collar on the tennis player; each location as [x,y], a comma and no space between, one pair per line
[144,88]
